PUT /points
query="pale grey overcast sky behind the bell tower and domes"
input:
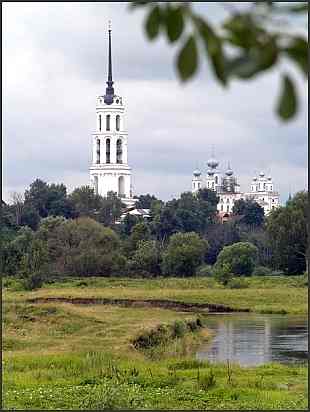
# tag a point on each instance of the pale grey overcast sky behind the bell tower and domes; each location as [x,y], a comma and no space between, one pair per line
[54,66]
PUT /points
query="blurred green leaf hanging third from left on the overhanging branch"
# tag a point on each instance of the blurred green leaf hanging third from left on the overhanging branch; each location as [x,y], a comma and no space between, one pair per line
[187,61]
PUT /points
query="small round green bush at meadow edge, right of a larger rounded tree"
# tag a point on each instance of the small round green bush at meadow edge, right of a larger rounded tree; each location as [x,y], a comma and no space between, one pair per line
[237,259]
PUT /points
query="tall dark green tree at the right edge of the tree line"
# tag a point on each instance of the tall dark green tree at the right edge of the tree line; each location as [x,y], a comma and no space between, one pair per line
[287,231]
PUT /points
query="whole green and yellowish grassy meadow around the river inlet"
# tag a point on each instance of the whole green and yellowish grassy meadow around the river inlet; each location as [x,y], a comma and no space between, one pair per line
[64,356]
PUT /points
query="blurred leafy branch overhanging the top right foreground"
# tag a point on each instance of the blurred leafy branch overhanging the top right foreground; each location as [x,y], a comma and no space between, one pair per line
[250,41]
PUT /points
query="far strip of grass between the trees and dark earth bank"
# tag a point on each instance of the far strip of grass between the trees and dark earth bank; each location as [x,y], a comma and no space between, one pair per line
[264,294]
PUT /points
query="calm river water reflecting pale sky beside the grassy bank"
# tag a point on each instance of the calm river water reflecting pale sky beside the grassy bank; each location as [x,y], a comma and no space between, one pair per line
[250,339]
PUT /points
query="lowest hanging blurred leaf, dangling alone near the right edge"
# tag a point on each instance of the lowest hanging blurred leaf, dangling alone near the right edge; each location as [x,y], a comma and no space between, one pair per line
[287,103]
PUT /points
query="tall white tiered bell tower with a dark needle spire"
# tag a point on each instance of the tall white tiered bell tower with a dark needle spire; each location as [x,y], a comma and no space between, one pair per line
[109,170]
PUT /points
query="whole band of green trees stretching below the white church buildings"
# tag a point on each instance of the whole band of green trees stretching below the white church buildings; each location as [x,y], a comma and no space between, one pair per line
[47,232]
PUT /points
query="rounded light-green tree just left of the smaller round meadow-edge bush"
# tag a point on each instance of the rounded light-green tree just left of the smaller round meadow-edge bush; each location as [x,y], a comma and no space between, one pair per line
[185,252]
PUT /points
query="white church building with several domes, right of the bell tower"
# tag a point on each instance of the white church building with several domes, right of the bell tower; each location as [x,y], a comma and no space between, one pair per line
[228,189]
